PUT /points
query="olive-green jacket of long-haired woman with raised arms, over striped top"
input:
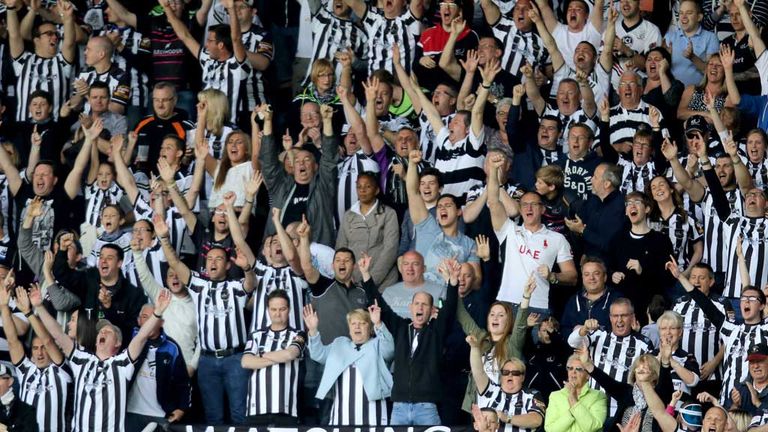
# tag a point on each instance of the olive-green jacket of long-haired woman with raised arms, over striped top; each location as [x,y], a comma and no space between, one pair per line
[514,346]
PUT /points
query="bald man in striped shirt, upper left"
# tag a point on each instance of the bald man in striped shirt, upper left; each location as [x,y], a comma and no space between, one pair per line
[98,58]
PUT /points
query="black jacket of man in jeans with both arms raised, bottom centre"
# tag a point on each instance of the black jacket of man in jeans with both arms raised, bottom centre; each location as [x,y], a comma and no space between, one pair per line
[417,377]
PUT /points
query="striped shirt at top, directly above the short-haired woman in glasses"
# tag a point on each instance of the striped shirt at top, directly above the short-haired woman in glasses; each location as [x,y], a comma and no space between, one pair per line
[331,34]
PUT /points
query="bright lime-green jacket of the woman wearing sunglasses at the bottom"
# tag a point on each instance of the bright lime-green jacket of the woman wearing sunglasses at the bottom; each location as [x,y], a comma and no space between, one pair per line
[588,415]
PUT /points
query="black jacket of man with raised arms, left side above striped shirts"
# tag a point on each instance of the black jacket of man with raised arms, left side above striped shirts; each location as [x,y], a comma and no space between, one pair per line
[127,299]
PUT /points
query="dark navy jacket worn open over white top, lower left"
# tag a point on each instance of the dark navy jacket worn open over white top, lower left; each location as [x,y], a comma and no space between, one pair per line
[174,390]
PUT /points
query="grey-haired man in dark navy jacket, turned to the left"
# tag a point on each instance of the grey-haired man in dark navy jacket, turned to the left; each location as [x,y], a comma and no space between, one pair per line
[597,219]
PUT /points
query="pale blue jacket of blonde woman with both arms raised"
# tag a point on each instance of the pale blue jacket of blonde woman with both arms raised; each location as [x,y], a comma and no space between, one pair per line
[372,359]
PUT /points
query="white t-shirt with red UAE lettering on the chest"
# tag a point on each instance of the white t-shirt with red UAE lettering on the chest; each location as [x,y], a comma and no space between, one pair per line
[524,253]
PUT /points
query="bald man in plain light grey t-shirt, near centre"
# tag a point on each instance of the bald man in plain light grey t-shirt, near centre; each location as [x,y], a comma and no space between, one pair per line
[399,295]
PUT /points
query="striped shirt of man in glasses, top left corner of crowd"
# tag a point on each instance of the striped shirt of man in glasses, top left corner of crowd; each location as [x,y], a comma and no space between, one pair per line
[37,73]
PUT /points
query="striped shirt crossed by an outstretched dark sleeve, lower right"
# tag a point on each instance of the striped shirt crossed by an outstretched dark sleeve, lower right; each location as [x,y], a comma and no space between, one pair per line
[700,335]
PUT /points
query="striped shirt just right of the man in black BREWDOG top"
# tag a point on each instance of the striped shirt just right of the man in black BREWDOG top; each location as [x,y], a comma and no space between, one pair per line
[228,76]
